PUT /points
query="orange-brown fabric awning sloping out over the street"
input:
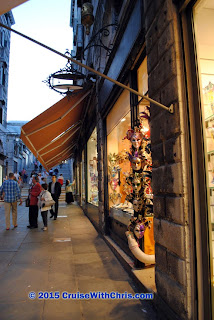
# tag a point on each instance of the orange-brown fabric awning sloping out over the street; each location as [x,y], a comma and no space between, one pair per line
[52,135]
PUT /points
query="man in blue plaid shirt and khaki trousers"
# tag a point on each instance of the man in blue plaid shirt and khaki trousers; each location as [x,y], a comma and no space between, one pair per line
[11,192]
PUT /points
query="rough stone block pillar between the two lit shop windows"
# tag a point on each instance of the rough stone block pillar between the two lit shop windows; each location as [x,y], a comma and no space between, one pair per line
[171,223]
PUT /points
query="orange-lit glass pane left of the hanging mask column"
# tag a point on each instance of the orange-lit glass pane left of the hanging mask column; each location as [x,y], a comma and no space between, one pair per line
[118,122]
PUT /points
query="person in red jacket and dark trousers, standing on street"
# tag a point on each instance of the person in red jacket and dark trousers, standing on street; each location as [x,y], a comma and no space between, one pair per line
[33,208]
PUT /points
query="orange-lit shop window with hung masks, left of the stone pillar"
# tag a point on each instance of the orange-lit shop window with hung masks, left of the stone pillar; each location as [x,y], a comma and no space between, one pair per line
[129,169]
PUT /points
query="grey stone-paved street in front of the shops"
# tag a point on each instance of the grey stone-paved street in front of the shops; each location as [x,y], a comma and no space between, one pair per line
[70,257]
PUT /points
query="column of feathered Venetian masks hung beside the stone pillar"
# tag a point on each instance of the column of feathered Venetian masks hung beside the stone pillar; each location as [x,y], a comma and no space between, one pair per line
[141,197]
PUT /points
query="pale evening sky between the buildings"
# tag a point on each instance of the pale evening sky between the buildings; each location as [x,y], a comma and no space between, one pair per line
[47,21]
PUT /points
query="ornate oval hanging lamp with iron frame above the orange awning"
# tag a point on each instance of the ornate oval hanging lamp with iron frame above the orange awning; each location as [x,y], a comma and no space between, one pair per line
[66,80]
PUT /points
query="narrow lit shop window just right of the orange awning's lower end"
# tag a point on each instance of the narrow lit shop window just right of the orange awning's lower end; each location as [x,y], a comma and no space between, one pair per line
[92,169]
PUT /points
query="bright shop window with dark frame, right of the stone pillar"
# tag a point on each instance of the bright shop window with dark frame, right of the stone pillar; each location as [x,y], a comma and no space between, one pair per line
[198,25]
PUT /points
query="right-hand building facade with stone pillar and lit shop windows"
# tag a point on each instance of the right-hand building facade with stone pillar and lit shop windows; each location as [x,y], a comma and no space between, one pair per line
[164,50]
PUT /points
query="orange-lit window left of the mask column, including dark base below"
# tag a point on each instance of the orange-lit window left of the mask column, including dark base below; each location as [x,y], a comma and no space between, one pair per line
[118,122]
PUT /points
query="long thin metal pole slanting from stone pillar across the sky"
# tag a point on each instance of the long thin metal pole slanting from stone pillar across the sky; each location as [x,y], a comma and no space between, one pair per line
[170,109]
